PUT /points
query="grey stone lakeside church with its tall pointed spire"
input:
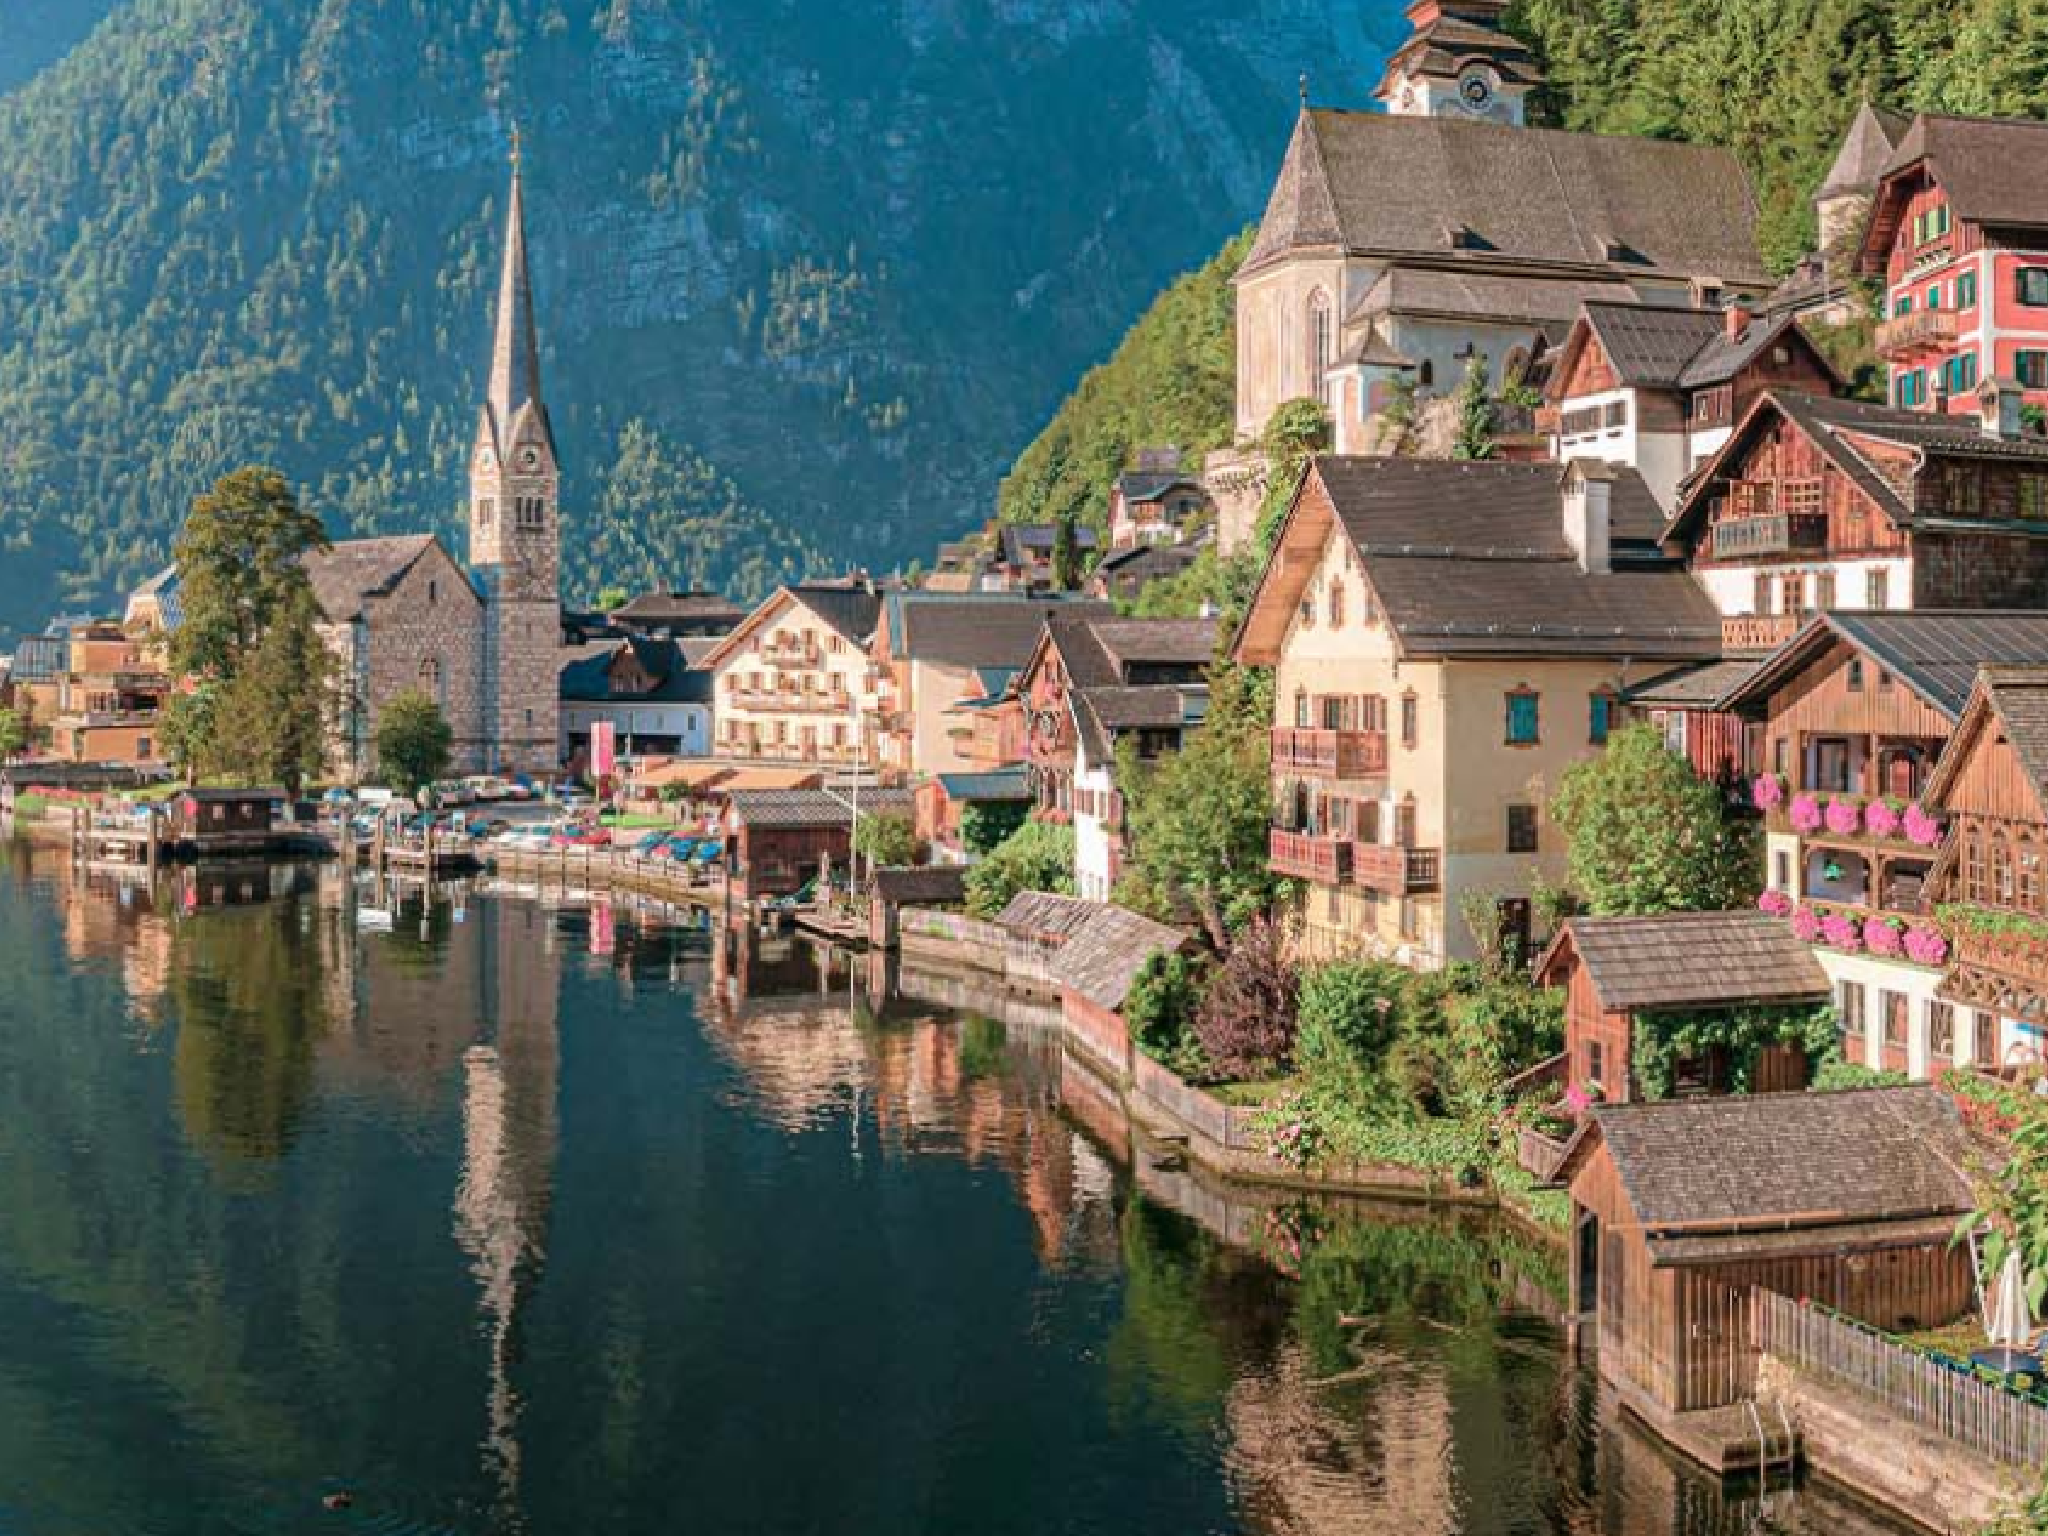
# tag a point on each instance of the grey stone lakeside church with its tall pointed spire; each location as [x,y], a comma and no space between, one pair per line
[484,640]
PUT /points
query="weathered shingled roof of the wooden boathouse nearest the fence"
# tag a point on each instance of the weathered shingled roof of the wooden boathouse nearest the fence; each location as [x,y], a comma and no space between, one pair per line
[1715,1179]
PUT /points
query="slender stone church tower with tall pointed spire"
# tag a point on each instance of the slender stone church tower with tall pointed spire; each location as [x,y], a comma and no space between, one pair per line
[515,529]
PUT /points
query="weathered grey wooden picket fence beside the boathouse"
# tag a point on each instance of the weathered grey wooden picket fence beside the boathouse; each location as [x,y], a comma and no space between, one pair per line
[1990,1420]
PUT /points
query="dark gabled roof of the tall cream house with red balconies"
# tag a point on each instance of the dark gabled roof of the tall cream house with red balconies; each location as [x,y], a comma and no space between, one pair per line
[1471,560]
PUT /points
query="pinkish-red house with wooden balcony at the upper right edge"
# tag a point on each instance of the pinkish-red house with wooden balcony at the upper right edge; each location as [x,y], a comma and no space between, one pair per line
[1959,232]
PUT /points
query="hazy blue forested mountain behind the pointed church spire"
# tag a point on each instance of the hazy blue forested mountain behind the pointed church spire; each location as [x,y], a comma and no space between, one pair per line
[808,269]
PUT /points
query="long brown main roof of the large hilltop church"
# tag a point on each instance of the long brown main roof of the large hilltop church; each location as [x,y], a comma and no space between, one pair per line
[1385,185]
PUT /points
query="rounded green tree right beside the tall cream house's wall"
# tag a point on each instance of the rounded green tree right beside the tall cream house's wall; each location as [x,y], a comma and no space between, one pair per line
[1648,835]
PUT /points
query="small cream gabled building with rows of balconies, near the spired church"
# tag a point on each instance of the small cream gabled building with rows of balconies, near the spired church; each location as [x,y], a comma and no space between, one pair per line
[796,685]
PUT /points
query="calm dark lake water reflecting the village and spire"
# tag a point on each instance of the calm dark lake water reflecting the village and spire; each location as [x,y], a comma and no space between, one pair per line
[536,1220]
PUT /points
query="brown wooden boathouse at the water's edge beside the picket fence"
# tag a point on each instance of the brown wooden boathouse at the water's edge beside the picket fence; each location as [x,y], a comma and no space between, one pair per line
[1684,1209]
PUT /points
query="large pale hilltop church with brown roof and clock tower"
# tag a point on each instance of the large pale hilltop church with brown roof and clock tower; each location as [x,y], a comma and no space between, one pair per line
[1402,243]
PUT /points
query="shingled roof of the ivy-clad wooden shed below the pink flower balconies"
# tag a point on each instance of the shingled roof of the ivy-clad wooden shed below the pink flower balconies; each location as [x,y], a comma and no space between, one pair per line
[1689,959]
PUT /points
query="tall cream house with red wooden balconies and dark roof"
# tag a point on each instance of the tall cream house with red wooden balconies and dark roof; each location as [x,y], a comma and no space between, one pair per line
[1447,640]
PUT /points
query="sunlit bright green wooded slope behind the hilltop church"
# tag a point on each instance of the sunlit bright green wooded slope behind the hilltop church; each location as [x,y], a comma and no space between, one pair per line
[1777,81]
